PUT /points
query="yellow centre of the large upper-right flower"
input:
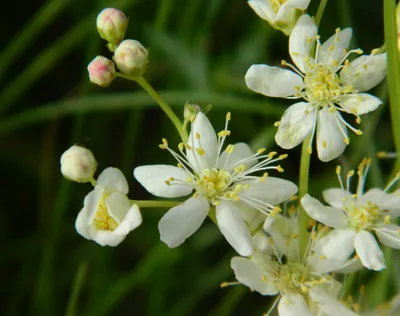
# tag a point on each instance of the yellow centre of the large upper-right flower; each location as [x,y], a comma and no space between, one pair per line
[322,84]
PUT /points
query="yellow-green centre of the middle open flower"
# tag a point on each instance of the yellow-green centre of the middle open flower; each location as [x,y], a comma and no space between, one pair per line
[213,182]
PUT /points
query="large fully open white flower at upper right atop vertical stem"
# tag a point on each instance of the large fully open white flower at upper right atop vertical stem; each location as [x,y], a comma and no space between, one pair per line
[329,84]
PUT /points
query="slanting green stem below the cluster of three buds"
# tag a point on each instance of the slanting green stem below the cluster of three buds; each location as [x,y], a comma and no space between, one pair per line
[160,101]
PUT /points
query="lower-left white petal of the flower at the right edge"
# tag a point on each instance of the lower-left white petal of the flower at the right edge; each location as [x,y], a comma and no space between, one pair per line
[336,247]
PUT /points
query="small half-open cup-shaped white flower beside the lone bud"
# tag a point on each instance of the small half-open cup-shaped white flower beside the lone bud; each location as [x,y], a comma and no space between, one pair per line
[107,215]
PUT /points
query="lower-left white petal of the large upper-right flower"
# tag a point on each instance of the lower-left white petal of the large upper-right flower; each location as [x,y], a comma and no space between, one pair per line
[296,124]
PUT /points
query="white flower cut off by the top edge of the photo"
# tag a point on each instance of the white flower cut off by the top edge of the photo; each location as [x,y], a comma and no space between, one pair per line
[281,14]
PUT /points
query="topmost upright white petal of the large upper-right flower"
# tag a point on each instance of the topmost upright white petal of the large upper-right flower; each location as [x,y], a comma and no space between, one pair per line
[301,41]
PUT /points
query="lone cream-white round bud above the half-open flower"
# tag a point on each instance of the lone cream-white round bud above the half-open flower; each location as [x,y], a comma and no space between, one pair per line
[78,164]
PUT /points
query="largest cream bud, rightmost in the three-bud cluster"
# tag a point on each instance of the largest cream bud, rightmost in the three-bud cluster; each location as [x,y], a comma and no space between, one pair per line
[131,57]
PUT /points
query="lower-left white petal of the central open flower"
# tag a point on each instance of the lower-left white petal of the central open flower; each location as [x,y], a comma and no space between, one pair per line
[181,221]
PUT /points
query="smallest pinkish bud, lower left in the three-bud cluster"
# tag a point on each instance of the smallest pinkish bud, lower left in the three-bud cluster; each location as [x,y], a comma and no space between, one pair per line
[101,71]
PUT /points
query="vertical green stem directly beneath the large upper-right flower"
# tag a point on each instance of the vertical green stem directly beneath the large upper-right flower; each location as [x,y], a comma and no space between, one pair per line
[303,190]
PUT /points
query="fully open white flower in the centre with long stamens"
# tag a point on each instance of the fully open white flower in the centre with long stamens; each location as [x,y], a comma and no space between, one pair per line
[221,179]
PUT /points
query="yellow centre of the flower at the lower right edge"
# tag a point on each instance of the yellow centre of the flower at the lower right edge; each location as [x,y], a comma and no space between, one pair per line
[363,217]
